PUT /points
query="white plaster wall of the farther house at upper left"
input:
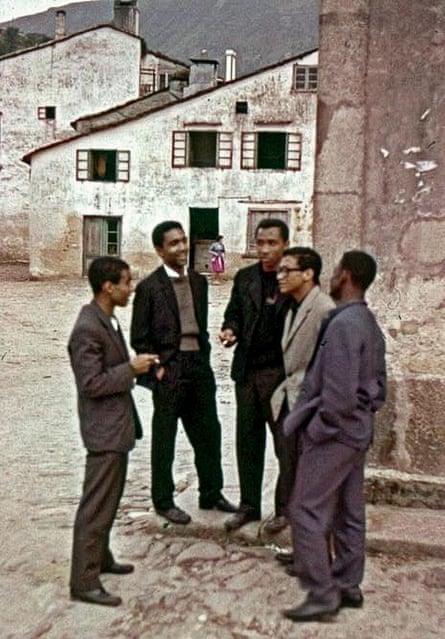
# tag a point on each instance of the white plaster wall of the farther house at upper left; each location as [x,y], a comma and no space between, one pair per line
[79,75]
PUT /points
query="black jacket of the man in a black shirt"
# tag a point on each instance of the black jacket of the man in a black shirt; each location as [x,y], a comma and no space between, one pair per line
[242,314]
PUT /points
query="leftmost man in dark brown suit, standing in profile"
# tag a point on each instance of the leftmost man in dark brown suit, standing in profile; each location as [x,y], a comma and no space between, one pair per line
[109,424]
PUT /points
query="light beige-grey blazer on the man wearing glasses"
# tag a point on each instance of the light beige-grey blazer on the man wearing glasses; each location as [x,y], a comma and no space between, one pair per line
[298,342]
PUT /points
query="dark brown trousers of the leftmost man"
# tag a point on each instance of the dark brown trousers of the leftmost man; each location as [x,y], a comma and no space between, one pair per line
[103,486]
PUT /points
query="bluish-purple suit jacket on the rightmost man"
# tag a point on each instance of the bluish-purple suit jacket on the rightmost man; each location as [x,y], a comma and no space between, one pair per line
[346,382]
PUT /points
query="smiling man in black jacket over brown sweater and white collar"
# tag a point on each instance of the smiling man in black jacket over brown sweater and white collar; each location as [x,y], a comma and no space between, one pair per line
[170,318]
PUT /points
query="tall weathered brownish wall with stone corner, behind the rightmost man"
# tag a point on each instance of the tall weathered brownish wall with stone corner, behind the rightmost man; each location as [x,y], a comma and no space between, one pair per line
[380,185]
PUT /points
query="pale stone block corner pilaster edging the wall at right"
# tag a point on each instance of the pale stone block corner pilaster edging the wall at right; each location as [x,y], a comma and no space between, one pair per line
[339,177]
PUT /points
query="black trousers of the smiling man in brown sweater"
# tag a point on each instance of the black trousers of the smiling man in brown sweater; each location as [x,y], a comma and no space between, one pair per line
[187,392]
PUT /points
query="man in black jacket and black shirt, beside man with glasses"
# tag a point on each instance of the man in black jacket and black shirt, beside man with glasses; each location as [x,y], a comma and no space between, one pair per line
[254,320]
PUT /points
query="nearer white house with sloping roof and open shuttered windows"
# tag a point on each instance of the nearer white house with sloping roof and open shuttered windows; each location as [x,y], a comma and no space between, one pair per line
[218,161]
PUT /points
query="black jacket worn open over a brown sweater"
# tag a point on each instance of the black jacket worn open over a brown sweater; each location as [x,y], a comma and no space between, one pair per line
[156,325]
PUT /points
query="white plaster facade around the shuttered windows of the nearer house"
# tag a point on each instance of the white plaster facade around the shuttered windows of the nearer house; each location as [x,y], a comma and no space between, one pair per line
[156,191]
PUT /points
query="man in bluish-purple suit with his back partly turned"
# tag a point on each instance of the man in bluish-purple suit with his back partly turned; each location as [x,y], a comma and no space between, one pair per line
[344,386]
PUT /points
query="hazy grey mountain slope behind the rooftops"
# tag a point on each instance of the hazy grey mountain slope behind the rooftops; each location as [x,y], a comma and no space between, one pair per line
[261,31]
